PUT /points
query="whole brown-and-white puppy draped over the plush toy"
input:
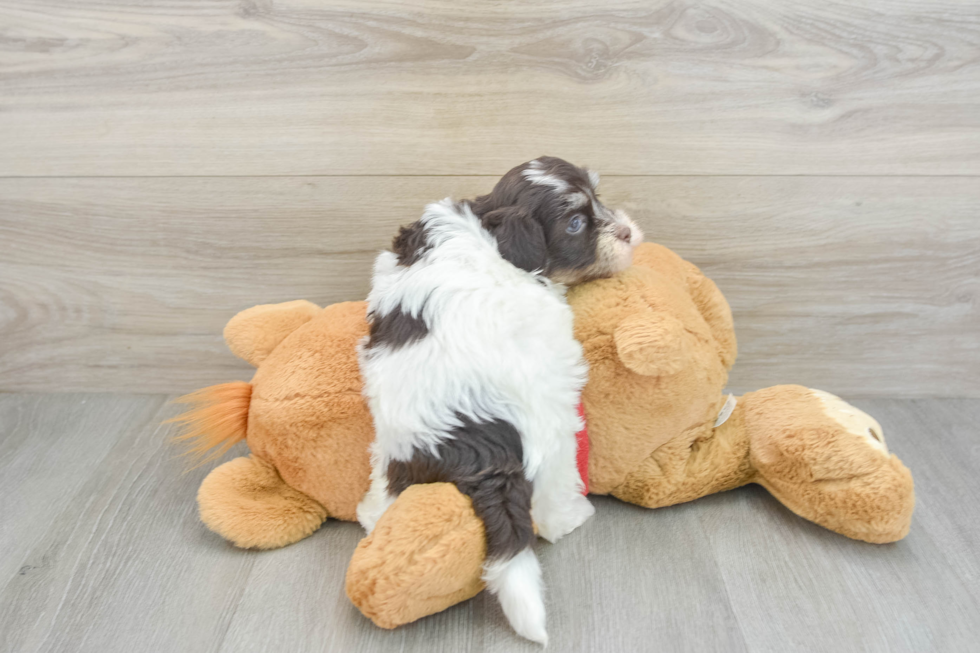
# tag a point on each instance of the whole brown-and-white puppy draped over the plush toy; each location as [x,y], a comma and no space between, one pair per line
[471,369]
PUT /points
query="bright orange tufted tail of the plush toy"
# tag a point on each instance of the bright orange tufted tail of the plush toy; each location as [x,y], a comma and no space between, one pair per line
[216,420]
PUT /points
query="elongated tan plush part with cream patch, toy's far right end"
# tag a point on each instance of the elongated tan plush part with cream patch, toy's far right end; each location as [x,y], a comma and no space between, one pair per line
[827,462]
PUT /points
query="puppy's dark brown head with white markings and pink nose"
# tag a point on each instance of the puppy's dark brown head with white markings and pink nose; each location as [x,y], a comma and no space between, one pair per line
[546,215]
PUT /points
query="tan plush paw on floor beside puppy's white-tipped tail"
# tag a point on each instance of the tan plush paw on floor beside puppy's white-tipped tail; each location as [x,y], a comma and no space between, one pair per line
[424,555]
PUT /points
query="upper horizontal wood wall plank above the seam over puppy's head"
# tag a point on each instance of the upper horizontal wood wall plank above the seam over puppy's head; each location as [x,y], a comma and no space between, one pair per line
[234,87]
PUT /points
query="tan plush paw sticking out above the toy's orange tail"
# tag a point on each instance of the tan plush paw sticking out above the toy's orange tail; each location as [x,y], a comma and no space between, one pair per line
[255,332]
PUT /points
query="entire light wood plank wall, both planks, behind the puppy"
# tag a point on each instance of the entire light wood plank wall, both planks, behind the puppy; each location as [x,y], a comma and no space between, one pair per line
[164,164]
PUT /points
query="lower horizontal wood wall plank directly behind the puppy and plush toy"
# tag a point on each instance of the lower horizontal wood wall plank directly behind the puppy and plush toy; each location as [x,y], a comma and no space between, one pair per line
[862,286]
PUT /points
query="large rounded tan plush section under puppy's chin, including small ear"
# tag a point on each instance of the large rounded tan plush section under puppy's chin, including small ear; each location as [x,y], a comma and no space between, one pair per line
[659,341]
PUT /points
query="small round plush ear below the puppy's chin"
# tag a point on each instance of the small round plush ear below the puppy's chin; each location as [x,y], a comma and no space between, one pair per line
[651,343]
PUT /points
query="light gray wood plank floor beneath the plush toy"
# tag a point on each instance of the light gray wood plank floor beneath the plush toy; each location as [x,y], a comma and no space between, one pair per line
[102,551]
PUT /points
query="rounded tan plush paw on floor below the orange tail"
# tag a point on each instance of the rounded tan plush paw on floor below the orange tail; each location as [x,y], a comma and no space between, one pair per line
[246,502]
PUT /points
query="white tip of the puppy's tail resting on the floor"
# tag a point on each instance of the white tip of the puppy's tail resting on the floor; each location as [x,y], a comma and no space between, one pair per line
[517,584]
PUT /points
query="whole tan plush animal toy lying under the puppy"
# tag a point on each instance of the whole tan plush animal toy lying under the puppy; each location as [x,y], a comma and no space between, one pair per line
[659,340]
